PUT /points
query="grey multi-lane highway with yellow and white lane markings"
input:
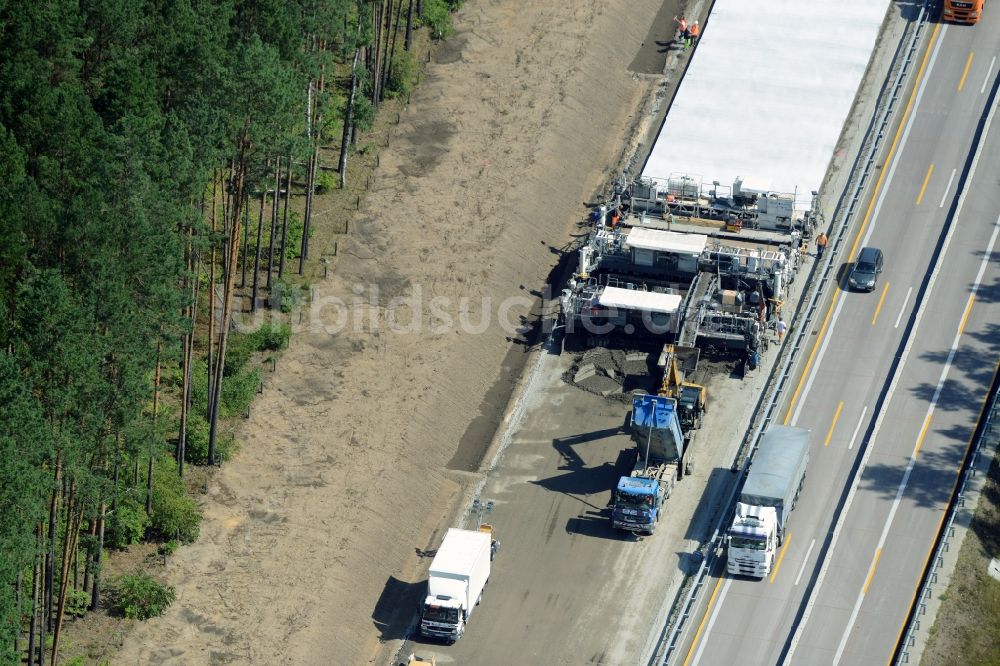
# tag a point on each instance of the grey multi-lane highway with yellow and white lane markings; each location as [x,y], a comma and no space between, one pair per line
[891,385]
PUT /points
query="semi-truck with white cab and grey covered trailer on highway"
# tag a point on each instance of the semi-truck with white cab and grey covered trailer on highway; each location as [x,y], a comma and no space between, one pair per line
[777,472]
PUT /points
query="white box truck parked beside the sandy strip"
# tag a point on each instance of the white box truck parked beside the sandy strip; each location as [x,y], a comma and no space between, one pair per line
[455,583]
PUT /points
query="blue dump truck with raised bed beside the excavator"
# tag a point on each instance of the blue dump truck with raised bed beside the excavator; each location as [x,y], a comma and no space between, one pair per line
[637,503]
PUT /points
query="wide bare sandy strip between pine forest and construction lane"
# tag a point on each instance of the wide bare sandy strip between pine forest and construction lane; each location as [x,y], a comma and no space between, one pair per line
[370,433]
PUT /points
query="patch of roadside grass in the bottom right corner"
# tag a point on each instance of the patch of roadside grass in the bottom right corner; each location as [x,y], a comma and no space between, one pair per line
[967,629]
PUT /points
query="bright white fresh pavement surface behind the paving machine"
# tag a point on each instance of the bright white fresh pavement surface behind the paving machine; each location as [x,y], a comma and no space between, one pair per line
[767,92]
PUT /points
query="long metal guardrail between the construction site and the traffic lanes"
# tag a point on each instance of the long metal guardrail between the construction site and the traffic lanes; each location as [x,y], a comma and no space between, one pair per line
[864,165]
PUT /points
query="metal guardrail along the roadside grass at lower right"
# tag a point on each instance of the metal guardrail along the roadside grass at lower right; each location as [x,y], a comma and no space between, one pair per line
[988,430]
